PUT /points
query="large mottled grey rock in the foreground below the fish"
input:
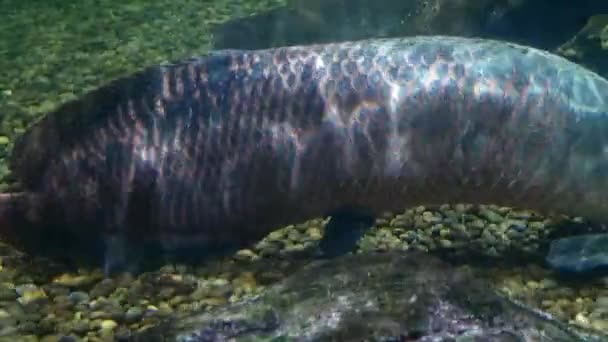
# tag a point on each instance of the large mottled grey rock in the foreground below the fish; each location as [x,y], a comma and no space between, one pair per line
[380,297]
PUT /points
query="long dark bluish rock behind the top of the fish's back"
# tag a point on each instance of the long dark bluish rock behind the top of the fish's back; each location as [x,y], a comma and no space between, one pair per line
[542,23]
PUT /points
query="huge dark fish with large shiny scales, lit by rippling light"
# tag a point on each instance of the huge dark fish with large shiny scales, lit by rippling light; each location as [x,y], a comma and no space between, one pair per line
[224,148]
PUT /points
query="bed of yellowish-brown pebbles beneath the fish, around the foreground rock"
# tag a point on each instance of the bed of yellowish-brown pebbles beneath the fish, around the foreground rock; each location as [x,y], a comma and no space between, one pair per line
[42,301]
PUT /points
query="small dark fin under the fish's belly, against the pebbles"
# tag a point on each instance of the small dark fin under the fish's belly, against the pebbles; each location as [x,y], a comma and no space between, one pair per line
[343,231]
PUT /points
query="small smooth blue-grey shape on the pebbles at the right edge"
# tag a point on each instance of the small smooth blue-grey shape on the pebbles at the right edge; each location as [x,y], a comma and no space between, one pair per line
[586,253]
